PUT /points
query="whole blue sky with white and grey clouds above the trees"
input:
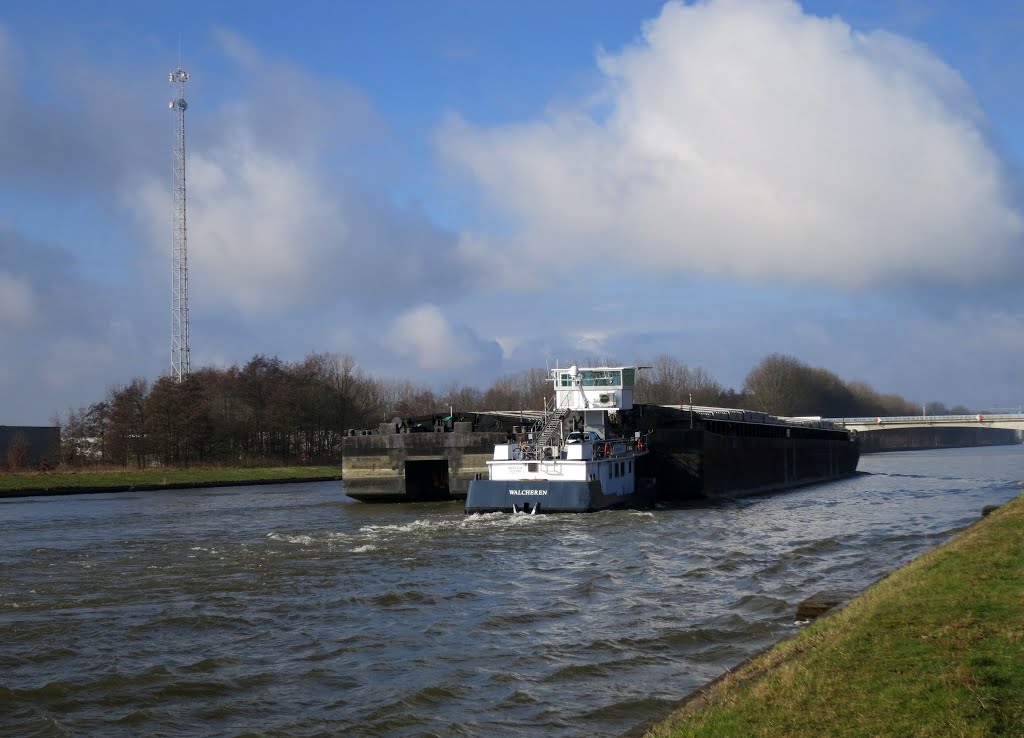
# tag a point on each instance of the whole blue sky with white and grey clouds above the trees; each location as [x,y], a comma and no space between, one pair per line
[453,191]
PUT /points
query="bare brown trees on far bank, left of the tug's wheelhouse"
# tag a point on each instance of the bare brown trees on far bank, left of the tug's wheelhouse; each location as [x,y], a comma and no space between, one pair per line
[268,412]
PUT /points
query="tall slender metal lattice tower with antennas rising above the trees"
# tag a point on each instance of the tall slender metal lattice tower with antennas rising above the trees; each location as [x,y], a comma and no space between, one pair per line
[180,238]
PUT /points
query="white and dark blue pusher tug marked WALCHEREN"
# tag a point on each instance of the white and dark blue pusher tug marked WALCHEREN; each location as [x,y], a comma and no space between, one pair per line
[578,469]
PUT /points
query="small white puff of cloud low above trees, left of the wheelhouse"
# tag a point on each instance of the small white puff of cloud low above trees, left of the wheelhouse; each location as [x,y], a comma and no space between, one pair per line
[428,340]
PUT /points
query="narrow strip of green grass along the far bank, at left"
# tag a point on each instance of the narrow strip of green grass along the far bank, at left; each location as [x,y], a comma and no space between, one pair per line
[156,477]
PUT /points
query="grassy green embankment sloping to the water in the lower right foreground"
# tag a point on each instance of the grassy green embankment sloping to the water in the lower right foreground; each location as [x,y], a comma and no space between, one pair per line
[935,649]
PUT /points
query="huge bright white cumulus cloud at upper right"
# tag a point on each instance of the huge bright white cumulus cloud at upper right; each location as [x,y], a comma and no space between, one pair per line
[747,139]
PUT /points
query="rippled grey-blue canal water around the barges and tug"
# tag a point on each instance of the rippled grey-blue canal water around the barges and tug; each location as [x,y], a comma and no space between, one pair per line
[291,611]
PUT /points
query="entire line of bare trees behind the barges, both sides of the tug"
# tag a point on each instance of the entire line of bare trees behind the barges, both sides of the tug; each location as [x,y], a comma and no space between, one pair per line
[274,412]
